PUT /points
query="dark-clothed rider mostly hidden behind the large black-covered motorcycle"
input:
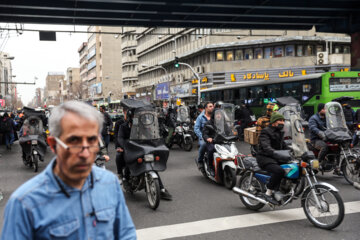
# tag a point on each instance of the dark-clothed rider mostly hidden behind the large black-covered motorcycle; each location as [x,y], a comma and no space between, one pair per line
[122,137]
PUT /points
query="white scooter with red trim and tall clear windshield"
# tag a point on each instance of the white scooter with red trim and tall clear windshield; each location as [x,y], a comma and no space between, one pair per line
[225,151]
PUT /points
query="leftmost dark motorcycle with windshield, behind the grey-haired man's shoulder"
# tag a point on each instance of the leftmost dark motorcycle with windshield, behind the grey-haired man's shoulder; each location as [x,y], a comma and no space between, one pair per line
[32,142]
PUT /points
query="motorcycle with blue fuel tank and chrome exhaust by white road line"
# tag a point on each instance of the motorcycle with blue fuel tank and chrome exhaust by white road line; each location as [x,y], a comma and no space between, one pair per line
[321,202]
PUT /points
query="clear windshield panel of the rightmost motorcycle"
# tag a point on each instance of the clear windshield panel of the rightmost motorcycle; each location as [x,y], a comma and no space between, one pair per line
[334,115]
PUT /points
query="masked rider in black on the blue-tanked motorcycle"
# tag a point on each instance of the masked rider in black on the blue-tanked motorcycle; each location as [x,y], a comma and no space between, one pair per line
[270,141]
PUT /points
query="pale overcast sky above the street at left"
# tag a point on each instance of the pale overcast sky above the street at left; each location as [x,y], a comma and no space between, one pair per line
[35,58]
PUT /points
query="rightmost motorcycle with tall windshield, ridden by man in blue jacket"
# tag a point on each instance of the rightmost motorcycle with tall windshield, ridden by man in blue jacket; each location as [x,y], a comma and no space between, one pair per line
[338,139]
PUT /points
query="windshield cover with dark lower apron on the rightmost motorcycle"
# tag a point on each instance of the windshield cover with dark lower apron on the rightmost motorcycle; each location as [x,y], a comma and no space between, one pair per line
[337,130]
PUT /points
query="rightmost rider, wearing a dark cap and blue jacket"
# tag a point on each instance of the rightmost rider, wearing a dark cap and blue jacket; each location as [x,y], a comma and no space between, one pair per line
[317,126]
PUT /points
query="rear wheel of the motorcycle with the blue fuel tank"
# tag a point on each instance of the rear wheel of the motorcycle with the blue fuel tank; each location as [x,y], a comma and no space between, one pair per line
[256,187]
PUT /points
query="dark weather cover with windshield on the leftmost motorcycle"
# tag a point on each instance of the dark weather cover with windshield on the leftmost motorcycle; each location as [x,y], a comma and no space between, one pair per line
[33,132]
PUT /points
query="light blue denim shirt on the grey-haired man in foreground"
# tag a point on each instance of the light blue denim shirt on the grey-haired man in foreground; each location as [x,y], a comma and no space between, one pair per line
[40,210]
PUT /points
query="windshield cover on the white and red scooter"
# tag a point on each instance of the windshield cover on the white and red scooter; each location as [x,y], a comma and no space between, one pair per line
[224,125]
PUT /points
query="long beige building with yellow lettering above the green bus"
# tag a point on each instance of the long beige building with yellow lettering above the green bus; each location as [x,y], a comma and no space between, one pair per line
[222,56]
